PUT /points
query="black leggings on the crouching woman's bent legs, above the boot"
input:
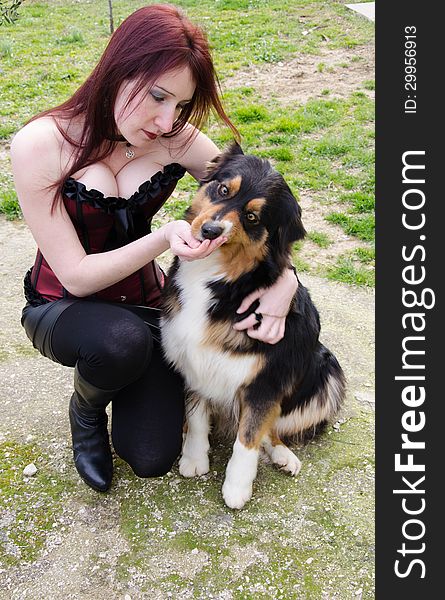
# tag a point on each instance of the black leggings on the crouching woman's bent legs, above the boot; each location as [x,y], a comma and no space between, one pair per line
[116,347]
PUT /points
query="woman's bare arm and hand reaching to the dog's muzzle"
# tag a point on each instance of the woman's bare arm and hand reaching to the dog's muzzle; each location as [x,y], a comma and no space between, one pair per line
[37,161]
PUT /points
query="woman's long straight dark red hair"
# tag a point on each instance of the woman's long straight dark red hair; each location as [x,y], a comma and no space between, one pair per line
[150,42]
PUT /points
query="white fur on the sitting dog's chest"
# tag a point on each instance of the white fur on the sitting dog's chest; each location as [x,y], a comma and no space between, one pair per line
[214,374]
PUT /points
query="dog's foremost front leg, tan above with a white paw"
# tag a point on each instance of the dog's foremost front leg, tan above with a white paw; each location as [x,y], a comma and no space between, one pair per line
[242,468]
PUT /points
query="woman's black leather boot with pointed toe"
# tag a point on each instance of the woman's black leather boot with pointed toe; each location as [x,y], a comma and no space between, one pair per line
[91,443]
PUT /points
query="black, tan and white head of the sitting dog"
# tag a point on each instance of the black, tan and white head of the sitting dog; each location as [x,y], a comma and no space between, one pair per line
[246,200]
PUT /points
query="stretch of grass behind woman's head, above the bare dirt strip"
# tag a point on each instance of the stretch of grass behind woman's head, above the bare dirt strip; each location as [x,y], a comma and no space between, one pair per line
[241,33]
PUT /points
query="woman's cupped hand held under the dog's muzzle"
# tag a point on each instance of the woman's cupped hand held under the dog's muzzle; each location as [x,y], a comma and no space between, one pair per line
[178,235]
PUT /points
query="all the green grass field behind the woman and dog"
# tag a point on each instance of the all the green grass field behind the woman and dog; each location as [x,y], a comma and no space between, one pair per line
[325,145]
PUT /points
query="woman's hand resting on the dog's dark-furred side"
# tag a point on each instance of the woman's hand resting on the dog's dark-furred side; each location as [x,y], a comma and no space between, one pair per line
[274,306]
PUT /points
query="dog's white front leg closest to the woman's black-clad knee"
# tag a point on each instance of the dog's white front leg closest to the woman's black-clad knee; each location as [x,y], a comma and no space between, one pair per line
[194,460]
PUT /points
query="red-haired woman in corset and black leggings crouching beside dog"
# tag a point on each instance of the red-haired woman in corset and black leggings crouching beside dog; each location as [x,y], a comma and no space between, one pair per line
[90,174]
